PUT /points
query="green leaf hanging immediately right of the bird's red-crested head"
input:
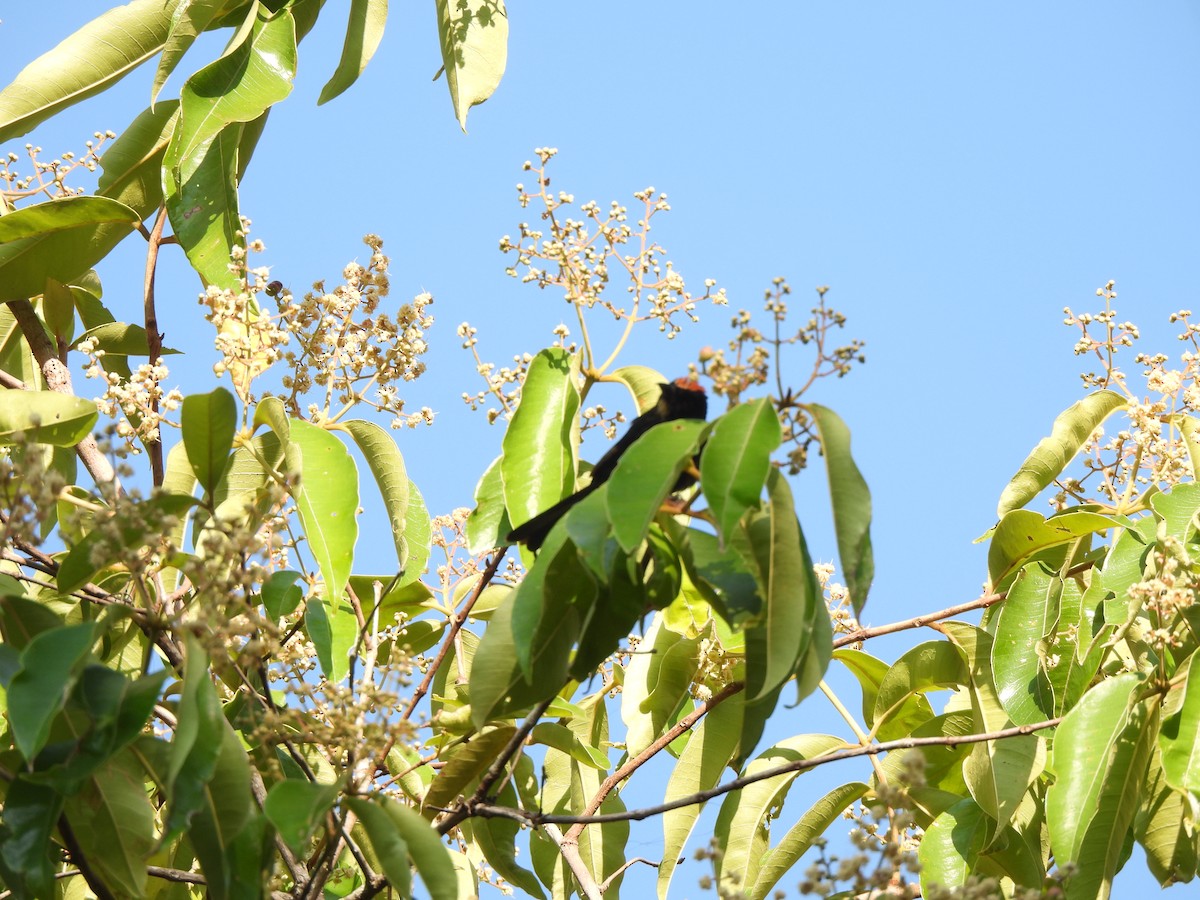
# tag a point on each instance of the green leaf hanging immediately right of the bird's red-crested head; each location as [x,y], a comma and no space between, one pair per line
[736,461]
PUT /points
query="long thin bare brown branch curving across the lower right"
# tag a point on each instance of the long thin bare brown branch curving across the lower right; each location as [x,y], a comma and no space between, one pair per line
[539,819]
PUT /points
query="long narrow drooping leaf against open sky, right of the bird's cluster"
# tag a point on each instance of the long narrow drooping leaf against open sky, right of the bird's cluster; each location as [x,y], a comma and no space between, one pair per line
[851,502]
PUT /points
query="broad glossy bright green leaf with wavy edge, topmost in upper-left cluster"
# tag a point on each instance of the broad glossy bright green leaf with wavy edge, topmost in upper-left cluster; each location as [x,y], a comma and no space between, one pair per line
[239,87]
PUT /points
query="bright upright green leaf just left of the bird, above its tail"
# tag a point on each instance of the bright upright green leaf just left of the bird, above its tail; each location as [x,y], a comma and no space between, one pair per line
[538,466]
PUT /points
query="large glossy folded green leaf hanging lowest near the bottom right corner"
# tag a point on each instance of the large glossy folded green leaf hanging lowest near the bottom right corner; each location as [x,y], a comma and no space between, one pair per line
[1101,757]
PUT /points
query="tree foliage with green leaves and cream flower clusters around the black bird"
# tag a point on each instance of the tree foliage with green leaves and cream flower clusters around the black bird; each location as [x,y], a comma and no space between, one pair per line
[208,692]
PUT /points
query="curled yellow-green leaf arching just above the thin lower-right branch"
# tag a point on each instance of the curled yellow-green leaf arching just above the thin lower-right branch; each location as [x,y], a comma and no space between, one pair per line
[899,707]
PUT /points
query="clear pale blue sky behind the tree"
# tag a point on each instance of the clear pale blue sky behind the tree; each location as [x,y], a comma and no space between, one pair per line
[957,173]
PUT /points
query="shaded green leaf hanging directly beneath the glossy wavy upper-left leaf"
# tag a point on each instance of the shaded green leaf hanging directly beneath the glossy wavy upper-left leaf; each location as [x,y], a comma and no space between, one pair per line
[202,203]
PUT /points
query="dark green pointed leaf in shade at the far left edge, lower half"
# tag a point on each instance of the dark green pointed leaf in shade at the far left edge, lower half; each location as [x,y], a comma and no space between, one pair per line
[50,667]
